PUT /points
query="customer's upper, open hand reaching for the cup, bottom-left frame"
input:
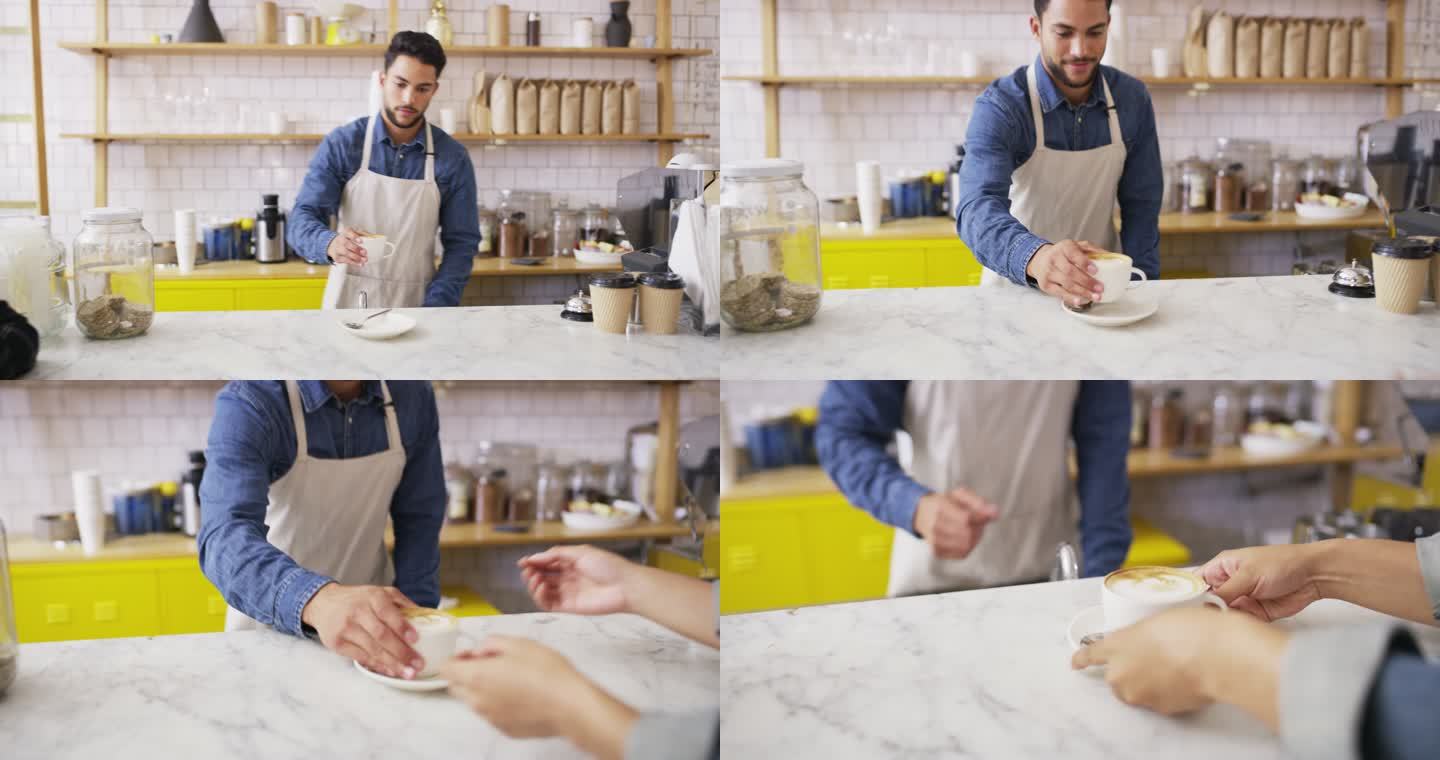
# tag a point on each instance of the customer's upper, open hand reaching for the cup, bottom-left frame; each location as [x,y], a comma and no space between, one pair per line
[581,581]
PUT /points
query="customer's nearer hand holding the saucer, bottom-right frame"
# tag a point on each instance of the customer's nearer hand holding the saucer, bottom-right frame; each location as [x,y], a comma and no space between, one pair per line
[1184,660]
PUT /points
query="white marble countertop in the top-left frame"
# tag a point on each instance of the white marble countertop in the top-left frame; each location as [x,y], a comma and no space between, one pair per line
[492,343]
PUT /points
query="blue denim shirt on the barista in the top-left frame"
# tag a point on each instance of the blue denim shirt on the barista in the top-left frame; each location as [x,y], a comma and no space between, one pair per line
[338,160]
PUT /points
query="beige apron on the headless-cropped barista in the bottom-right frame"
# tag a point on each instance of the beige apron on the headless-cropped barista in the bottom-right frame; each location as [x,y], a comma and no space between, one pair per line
[1009,443]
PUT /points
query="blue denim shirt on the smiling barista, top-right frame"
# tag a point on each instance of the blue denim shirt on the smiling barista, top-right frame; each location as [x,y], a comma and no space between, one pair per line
[1002,137]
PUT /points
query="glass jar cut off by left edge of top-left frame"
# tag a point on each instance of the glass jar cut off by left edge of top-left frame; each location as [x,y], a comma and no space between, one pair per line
[32,274]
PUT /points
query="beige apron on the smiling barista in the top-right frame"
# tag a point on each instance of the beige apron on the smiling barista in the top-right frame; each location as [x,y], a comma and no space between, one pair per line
[1068,195]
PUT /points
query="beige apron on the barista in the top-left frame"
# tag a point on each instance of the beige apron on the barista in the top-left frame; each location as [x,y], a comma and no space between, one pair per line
[408,214]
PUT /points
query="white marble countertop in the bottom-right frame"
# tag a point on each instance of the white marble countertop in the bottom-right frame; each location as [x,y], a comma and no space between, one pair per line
[967,676]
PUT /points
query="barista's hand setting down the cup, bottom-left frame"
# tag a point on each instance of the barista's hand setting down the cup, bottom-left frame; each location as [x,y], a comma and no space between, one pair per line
[365,624]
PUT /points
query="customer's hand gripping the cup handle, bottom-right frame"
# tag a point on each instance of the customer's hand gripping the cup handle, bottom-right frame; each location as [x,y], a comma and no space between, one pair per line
[1268,582]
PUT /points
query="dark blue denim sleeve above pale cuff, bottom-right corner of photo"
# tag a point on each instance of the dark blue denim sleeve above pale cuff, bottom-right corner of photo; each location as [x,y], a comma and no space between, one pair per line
[1399,722]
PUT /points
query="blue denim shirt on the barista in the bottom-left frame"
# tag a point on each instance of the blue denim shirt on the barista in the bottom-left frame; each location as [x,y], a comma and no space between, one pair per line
[253,445]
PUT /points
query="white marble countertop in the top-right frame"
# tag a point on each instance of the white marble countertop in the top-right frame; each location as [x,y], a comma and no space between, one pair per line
[1242,329]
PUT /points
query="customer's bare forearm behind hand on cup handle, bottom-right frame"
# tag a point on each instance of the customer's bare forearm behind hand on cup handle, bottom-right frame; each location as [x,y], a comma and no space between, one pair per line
[1383,576]
